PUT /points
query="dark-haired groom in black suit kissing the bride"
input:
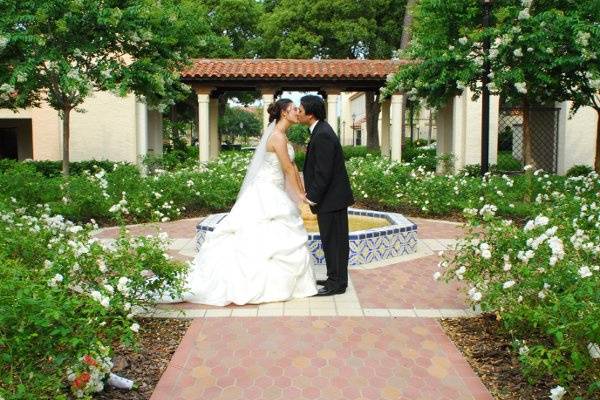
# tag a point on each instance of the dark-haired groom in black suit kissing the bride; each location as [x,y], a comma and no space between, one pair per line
[328,192]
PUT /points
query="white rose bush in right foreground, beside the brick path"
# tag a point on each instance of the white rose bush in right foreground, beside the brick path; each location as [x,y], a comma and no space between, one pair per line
[540,279]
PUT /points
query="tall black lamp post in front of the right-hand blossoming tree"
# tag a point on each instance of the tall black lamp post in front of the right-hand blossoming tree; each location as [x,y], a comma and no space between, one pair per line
[485,93]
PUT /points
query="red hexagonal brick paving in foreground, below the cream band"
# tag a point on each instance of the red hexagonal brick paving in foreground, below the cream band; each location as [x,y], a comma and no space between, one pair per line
[318,358]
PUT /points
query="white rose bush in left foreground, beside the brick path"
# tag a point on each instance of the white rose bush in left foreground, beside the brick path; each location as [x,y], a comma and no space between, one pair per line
[64,295]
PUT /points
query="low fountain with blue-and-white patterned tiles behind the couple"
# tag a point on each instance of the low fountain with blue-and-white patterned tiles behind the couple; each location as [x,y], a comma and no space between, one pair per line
[396,238]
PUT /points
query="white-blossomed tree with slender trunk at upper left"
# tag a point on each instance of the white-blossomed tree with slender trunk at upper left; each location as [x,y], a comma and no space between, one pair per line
[60,51]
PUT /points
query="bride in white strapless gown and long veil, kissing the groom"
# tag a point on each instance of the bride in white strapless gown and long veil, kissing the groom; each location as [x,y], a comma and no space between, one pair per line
[258,253]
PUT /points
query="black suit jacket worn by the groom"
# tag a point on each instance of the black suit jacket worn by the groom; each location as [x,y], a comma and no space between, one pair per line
[325,176]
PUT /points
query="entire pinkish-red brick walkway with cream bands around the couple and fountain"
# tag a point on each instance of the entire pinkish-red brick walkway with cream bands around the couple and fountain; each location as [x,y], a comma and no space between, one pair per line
[379,340]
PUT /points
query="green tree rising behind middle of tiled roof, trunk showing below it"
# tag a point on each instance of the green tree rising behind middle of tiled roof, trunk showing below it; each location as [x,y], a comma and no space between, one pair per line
[336,29]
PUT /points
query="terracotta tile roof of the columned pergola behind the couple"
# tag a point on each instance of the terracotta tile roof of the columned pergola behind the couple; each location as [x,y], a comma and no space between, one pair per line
[289,68]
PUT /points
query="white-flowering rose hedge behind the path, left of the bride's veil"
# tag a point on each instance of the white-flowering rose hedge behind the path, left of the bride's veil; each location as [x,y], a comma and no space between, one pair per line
[122,193]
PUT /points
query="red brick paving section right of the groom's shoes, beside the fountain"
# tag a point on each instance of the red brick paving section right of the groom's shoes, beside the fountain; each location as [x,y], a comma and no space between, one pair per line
[408,284]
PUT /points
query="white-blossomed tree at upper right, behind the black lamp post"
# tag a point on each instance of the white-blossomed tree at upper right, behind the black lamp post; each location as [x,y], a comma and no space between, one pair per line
[541,52]
